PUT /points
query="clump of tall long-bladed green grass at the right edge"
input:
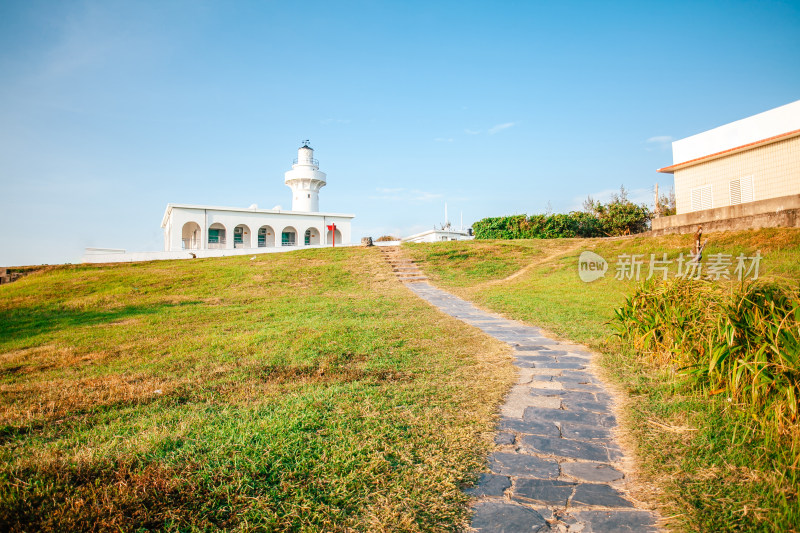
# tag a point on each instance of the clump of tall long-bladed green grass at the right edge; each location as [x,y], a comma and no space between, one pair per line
[743,341]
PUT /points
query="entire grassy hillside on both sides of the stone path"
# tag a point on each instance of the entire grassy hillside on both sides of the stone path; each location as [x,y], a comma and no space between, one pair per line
[312,392]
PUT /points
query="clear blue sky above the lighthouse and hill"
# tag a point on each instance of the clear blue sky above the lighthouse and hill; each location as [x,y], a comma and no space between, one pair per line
[110,110]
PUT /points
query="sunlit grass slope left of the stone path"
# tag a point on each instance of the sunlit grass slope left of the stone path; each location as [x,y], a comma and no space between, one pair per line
[295,392]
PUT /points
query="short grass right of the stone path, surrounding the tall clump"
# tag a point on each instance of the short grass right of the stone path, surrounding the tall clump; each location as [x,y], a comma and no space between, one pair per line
[709,464]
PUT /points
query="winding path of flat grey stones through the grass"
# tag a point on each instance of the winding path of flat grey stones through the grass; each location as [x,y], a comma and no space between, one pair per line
[556,466]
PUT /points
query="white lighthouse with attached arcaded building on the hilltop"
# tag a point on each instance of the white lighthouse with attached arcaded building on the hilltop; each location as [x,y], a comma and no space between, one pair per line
[203,227]
